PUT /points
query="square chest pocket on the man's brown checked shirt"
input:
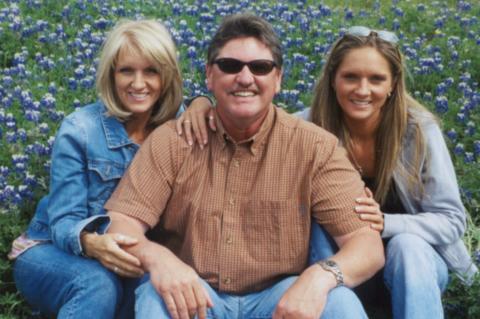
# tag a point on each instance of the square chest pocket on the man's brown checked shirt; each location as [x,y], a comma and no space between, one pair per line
[276,230]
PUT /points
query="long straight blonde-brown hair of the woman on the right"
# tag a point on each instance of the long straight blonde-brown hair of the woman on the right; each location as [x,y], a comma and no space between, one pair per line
[395,114]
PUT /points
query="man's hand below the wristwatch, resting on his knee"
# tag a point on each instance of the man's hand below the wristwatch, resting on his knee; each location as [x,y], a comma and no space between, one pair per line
[307,297]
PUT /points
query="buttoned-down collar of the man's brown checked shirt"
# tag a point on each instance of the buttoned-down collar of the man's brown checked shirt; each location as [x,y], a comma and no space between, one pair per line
[254,143]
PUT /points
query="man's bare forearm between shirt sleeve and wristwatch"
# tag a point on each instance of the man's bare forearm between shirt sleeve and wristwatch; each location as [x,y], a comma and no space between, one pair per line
[360,256]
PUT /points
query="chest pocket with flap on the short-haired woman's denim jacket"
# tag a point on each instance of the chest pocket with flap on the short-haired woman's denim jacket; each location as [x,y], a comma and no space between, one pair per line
[104,176]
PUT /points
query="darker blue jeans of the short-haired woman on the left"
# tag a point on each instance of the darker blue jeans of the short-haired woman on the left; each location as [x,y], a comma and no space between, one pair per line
[69,286]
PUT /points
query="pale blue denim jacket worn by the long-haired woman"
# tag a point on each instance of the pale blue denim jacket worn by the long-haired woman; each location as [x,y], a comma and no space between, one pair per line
[438,216]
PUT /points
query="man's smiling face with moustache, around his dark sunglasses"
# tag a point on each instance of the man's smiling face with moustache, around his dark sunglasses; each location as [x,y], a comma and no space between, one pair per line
[243,97]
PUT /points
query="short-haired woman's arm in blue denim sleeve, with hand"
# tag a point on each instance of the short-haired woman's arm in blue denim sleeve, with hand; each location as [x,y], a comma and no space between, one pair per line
[71,226]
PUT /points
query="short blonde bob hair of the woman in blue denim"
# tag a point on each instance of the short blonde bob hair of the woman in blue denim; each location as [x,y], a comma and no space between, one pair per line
[152,40]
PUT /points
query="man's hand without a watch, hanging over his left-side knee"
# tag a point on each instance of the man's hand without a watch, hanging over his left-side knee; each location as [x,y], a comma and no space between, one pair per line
[180,286]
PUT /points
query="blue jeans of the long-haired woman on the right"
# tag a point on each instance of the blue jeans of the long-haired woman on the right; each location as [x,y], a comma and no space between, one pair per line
[414,273]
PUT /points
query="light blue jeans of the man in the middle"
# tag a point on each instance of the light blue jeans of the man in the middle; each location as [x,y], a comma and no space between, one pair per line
[342,303]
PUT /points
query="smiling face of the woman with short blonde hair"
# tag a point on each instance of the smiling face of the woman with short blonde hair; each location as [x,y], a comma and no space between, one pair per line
[137,83]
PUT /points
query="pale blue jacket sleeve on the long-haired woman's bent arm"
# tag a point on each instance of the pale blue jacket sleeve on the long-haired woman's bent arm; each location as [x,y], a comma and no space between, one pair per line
[438,216]
